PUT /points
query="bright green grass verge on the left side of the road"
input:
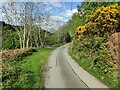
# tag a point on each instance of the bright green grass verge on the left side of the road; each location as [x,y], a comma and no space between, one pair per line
[30,69]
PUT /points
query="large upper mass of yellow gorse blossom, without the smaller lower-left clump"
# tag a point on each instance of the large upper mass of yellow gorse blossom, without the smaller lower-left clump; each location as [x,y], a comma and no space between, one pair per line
[106,18]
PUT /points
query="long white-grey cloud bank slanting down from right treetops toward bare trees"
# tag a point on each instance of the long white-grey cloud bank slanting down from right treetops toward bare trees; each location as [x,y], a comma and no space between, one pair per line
[58,20]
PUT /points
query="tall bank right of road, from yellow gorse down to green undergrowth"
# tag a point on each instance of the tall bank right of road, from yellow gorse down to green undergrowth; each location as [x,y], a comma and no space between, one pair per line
[89,46]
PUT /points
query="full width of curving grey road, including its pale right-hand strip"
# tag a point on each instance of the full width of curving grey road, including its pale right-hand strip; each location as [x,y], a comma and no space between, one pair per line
[63,72]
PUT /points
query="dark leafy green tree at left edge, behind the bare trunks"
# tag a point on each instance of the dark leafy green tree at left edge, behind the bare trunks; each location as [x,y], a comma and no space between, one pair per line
[9,38]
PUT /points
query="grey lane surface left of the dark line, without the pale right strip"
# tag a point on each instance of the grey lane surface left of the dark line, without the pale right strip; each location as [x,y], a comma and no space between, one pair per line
[60,73]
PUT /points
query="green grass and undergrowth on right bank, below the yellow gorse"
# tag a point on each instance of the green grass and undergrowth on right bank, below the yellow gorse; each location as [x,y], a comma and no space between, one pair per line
[96,62]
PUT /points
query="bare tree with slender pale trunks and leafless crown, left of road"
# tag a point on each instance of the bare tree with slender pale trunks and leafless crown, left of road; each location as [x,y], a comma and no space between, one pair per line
[23,15]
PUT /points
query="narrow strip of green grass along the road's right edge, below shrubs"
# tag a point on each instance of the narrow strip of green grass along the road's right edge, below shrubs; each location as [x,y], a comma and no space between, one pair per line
[110,81]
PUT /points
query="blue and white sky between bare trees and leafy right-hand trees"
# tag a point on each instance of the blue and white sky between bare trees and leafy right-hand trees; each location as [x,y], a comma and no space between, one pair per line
[61,12]
